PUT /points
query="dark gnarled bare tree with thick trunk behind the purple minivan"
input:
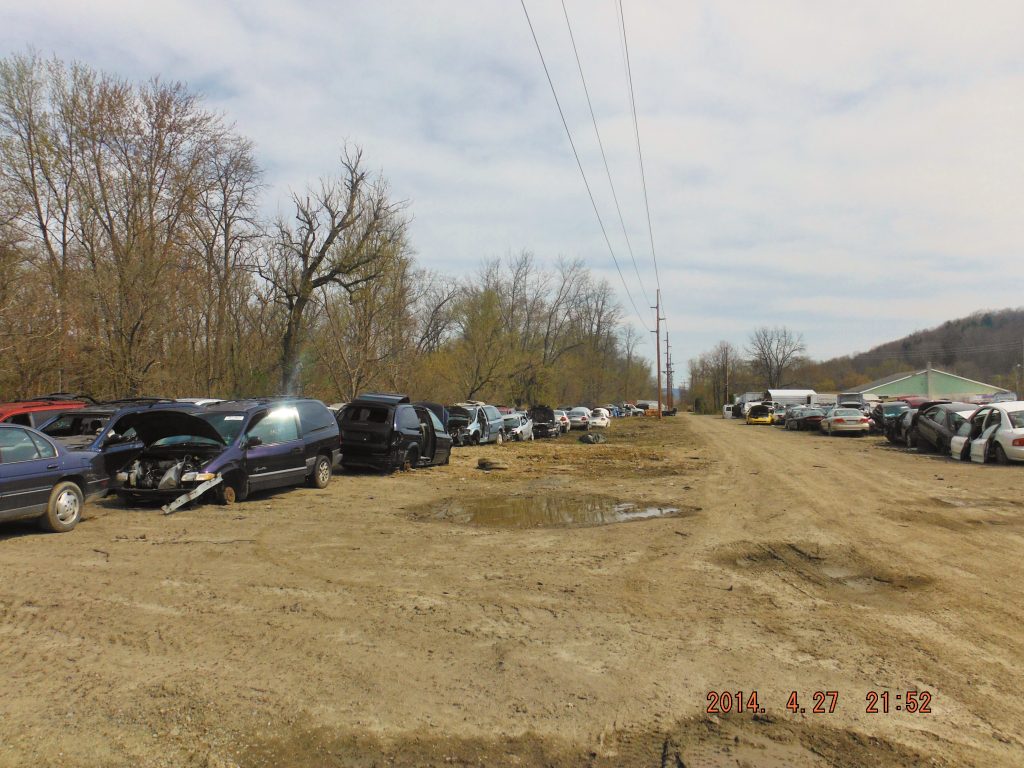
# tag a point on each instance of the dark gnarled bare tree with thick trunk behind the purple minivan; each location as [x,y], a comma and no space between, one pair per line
[345,232]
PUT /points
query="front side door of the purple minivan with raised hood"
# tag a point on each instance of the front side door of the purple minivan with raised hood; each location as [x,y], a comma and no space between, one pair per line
[274,450]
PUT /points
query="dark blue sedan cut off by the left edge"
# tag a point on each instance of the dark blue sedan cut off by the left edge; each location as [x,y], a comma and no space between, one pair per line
[41,480]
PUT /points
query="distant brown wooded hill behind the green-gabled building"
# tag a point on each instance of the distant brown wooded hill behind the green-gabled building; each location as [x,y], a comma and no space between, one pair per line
[985,347]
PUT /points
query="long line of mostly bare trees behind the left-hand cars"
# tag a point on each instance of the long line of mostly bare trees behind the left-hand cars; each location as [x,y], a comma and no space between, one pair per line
[135,260]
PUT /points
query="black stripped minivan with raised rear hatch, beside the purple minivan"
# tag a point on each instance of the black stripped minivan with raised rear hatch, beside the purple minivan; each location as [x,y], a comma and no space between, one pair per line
[387,433]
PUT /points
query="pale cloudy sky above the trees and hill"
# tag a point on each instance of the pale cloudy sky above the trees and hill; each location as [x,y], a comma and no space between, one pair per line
[852,170]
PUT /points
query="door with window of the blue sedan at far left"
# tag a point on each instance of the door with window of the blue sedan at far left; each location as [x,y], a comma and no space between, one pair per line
[27,475]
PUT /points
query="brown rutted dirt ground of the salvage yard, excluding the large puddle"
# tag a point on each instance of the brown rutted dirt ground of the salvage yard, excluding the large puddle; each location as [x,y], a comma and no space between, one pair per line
[351,627]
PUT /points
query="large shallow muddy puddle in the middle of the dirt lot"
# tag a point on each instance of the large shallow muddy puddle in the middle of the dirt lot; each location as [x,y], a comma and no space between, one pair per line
[545,513]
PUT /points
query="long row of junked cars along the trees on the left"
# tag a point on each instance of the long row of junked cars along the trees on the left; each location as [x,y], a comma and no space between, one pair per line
[59,451]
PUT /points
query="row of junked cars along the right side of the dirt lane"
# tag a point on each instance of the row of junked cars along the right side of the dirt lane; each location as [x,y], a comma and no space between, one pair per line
[993,433]
